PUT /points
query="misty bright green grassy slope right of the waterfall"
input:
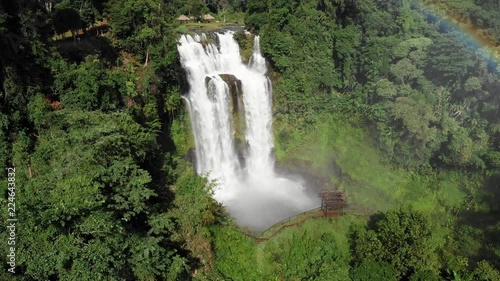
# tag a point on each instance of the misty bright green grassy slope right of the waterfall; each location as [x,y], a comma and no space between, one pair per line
[360,171]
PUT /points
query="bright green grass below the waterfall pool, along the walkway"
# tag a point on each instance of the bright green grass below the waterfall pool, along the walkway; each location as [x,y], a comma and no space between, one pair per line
[240,257]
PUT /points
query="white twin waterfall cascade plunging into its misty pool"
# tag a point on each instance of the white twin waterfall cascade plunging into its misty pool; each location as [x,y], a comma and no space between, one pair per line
[230,106]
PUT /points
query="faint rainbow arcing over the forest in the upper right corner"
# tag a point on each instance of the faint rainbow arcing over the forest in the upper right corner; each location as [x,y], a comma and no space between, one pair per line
[472,35]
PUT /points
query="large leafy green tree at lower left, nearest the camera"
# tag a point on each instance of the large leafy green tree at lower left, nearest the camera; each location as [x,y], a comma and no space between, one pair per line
[91,201]
